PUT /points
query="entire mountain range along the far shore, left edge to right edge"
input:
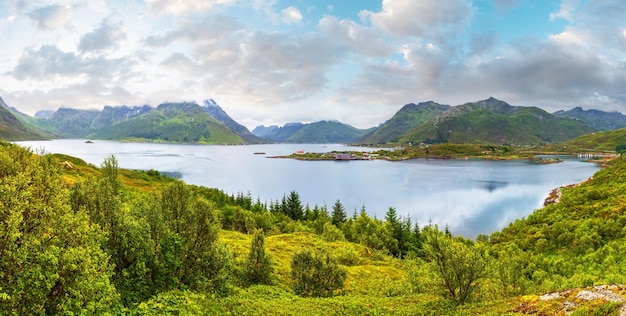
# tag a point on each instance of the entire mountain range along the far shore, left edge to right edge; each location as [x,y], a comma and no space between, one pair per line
[489,121]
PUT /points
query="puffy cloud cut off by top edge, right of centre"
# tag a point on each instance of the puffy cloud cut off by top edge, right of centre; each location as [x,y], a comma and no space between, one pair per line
[431,19]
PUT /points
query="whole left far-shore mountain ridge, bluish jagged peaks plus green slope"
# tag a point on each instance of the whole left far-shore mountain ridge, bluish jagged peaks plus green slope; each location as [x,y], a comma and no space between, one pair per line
[185,122]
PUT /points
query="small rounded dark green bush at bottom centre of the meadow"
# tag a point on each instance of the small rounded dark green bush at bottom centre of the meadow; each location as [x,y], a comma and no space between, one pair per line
[316,275]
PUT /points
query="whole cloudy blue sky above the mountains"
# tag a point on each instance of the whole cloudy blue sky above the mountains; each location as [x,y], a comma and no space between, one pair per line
[276,61]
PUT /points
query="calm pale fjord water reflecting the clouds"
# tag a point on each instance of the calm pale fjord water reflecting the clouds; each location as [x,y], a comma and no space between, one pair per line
[470,196]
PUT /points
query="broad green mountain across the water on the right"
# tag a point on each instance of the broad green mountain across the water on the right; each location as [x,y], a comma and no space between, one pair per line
[489,121]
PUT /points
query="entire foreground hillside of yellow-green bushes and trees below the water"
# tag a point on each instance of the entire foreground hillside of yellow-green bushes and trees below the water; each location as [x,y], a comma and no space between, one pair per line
[75,238]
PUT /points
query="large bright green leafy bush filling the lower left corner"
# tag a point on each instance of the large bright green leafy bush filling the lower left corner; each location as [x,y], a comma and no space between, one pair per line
[50,257]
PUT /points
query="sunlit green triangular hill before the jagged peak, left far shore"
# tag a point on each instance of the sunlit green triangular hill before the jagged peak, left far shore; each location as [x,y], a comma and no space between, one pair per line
[172,122]
